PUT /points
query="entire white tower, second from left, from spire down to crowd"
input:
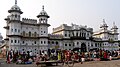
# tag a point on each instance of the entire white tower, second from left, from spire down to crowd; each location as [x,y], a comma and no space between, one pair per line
[43,28]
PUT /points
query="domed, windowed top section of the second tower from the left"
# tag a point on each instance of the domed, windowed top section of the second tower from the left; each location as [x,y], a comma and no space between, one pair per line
[43,16]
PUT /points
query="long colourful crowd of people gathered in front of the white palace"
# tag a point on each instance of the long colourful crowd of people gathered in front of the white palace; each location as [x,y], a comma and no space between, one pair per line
[66,55]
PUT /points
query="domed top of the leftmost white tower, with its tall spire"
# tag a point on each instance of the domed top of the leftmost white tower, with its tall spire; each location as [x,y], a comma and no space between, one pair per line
[15,12]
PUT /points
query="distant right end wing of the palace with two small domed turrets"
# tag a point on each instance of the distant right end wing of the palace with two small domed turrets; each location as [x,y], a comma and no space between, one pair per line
[109,38]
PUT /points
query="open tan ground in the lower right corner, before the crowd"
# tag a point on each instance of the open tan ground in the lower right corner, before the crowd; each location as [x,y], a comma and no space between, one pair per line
[113,63]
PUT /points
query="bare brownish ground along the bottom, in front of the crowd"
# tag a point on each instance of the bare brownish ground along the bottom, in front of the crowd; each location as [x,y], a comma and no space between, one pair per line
[113,63]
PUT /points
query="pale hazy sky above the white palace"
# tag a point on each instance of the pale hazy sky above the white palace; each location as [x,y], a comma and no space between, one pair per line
[80,12]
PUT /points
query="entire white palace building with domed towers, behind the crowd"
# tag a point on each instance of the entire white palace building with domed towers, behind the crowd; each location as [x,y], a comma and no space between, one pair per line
[32,35]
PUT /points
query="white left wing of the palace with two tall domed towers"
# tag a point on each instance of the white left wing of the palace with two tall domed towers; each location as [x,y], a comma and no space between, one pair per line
[26,34]
